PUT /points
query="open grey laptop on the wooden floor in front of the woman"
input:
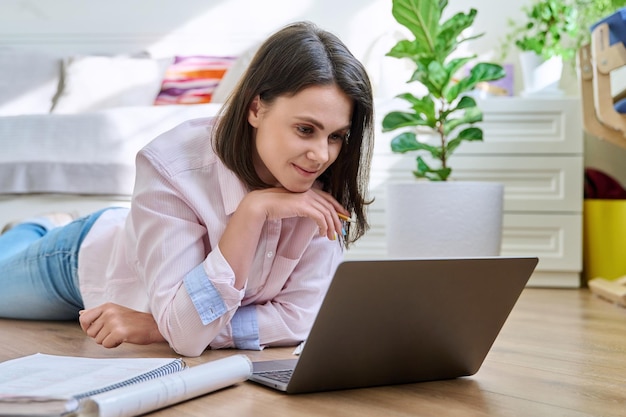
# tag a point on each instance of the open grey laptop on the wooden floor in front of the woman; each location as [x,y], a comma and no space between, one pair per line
[387,322]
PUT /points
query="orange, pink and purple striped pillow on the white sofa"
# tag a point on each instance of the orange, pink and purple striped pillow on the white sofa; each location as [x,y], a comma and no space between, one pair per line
[192,79]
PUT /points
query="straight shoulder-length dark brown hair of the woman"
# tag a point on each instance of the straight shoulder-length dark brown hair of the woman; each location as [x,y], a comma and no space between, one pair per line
[299,56]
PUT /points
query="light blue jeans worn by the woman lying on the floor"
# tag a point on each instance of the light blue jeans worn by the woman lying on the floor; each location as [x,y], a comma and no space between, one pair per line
[38,269]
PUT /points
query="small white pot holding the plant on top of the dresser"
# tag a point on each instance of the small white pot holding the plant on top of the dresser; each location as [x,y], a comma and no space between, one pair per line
[541,77]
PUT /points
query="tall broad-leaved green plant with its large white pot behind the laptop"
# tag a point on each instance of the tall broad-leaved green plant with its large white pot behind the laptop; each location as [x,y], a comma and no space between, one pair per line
[448,113]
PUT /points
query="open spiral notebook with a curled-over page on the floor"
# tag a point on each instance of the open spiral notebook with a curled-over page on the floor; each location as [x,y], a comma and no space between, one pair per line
[63,386]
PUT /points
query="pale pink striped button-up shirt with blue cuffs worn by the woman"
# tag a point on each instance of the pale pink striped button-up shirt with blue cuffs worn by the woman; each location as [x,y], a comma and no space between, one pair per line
[162,255]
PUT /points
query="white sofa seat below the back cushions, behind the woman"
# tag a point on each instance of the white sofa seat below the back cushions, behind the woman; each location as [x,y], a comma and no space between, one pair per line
[91,153]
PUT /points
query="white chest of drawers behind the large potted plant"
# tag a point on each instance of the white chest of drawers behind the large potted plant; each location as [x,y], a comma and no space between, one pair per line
[534,146]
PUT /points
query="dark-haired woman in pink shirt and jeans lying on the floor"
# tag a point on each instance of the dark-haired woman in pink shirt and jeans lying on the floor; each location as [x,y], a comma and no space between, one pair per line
[234,230]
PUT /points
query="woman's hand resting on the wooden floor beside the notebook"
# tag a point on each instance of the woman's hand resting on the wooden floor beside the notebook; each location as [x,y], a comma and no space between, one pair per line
[110,325]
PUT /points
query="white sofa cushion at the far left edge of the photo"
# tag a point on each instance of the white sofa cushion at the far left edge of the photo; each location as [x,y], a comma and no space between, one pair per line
[28,82]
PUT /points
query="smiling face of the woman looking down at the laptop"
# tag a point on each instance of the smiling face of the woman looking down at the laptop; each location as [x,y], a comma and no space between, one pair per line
[298,137]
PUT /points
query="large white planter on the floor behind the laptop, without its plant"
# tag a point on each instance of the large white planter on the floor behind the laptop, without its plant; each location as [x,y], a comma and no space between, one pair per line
[444,219]
